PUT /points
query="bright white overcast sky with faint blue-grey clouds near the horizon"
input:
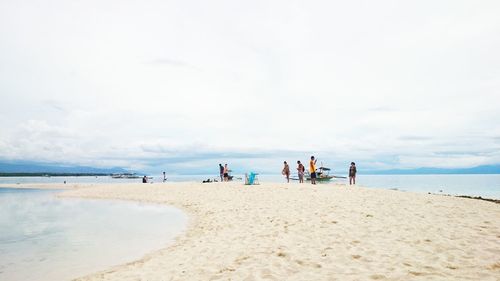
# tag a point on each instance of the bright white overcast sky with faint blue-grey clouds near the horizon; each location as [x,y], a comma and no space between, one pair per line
[182,86]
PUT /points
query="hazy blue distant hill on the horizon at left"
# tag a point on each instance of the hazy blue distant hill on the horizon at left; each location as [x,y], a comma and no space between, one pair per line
[34,167]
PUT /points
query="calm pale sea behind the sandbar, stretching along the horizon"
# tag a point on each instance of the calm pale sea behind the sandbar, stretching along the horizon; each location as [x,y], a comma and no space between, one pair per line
[474,185]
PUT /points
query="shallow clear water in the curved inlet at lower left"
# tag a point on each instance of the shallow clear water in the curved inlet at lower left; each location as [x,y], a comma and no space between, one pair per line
[46,238]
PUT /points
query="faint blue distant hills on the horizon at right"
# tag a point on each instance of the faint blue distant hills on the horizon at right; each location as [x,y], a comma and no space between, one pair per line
[486,169]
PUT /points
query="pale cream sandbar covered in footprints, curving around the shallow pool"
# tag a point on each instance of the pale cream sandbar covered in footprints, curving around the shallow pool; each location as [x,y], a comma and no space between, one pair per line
[300,232]
